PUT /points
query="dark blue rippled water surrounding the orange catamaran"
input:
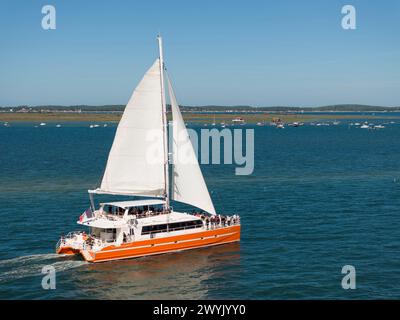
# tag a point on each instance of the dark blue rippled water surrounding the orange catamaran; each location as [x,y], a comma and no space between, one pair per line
[319,198]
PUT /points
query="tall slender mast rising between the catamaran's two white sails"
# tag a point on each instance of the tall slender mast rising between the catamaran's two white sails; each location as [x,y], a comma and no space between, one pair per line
[164,116]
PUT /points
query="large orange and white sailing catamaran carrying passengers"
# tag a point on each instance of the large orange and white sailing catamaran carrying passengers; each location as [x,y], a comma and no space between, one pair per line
[139,166]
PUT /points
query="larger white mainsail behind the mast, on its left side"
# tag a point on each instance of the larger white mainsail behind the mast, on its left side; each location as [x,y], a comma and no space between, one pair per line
[135,164]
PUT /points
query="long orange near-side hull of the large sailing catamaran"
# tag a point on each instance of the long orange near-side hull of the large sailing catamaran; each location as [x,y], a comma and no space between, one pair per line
[164,245]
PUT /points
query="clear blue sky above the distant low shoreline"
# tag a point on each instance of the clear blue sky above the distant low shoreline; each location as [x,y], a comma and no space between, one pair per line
[217,52]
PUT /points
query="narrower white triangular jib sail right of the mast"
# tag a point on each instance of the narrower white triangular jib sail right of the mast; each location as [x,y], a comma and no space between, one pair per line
[188,185]
